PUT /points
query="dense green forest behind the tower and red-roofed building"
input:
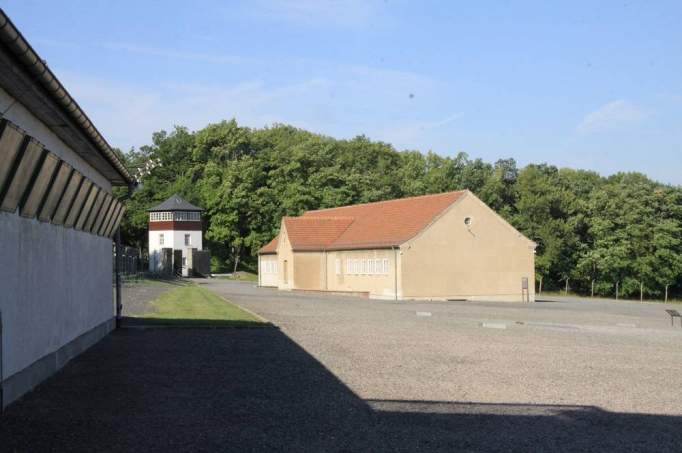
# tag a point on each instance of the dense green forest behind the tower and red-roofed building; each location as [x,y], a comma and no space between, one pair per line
[623,228]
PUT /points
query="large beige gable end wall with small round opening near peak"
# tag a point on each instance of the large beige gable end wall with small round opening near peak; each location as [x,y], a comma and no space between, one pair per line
[487,261]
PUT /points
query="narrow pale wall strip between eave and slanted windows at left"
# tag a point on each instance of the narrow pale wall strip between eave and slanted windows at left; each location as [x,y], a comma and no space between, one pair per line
[22,117]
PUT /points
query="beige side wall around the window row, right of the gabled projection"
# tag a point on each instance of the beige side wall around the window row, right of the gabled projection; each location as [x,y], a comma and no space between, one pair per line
[377,285]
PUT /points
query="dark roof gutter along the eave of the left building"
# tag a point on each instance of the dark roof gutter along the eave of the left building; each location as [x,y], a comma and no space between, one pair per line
[34,65]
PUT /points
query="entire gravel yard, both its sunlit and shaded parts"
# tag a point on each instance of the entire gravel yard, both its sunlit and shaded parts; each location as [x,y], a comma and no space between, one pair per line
[346,374]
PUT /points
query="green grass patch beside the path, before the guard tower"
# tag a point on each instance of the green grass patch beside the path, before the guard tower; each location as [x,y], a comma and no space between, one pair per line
[193,305]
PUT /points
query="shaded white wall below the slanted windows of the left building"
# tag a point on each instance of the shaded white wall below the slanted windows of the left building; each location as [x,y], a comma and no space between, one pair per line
[55,285]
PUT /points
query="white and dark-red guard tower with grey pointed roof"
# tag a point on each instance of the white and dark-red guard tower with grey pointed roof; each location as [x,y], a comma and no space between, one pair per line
[174,233]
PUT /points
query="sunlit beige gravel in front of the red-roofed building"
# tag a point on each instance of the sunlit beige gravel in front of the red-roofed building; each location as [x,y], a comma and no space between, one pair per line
[622,357]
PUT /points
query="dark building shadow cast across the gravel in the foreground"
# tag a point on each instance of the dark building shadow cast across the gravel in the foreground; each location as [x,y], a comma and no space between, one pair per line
[256,390]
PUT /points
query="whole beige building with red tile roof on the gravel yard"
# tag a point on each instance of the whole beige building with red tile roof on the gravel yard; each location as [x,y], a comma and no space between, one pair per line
[439,246]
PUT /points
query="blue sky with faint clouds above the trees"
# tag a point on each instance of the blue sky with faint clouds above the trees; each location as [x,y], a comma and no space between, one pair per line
[594,85]
